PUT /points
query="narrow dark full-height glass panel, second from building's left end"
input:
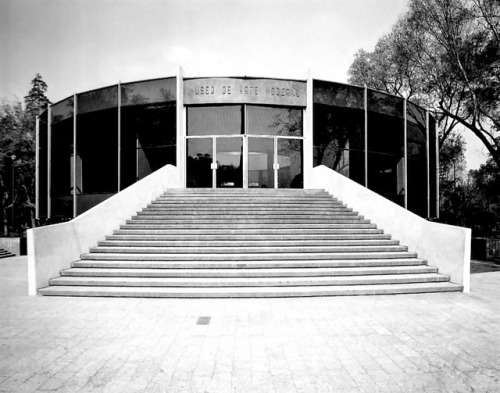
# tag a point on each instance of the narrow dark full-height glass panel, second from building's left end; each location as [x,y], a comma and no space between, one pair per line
[61,159]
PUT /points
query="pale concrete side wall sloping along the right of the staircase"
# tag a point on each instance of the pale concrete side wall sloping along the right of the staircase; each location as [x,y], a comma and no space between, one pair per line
[444,246]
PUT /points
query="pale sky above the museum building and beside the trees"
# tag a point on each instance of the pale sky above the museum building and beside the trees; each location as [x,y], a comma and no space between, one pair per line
[78,45]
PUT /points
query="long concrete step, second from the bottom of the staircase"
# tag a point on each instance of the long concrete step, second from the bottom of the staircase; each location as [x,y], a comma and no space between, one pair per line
[248,282]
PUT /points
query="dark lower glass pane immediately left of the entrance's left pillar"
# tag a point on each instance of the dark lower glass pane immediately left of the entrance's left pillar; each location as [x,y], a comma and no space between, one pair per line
[148,135]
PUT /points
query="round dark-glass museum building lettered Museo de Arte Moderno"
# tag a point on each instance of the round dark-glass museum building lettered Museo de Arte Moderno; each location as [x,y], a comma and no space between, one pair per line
[233,132]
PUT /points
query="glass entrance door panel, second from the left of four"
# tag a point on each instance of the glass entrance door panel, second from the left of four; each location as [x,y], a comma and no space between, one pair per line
[229,160]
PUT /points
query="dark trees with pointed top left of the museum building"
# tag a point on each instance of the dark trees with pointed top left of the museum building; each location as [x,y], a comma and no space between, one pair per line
[17,151]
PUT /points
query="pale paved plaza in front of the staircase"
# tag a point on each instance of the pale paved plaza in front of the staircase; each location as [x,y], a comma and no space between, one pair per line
[446,342]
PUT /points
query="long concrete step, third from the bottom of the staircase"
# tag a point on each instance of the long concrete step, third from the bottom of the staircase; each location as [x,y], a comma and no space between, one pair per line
[247,272]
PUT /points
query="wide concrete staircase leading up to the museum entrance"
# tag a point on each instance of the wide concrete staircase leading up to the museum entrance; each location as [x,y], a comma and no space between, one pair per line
[248,243]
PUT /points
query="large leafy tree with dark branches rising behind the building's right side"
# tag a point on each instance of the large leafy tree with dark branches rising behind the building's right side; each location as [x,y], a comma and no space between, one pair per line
[444,54]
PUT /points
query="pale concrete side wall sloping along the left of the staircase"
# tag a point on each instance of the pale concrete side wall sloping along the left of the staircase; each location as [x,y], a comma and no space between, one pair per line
[53,248]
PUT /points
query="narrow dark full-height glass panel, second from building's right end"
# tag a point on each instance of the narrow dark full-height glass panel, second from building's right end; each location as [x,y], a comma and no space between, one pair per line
[417,159]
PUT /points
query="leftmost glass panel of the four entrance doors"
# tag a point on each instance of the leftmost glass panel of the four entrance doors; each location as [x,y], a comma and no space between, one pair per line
[199,161]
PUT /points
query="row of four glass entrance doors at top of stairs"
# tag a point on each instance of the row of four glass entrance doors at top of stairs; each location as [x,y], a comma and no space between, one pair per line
[244,161]
